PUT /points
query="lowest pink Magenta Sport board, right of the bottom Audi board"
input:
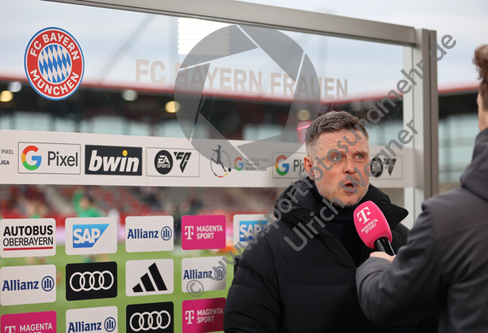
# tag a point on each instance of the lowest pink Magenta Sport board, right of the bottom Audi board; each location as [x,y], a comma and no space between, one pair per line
[203,315]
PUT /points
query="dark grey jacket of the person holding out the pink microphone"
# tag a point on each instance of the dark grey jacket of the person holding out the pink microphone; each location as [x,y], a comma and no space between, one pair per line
[445,261]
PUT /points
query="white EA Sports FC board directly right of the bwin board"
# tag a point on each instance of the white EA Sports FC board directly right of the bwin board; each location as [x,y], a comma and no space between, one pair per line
[167,162]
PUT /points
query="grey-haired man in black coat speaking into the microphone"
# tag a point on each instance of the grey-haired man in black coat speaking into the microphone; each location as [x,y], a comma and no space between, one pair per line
[298,276]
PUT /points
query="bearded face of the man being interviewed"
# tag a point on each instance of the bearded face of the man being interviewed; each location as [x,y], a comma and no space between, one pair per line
[337,163]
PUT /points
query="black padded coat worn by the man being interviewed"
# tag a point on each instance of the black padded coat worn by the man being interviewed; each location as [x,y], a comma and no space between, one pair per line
[279,289]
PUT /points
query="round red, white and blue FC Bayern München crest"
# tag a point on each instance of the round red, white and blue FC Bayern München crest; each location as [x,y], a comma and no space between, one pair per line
[54,63]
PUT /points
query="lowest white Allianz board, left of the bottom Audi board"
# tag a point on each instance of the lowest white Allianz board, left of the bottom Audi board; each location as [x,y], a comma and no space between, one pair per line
[100,320]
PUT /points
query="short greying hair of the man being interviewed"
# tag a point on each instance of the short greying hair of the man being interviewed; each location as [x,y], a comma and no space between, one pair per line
[334,121]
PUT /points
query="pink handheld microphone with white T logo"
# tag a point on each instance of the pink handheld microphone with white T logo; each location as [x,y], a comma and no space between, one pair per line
[372,227]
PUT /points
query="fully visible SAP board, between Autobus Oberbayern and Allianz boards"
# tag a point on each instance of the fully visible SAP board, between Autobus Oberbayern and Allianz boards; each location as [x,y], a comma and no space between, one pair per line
[91,235]
